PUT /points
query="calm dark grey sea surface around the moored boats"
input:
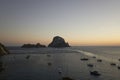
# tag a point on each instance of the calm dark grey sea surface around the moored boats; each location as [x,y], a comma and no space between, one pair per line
[46,63]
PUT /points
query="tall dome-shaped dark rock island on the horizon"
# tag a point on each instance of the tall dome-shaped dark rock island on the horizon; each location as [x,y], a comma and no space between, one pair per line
[58,42]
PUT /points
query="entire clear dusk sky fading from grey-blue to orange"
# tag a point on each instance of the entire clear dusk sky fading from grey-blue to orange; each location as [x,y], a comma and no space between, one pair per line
[79,22]
